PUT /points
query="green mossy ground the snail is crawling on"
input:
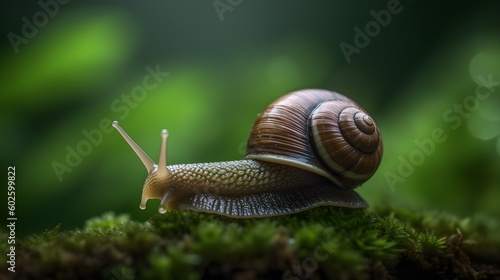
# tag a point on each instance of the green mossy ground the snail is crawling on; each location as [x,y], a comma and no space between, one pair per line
[323,243]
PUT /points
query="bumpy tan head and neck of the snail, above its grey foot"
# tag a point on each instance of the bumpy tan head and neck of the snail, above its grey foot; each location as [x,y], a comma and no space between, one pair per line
[229,178]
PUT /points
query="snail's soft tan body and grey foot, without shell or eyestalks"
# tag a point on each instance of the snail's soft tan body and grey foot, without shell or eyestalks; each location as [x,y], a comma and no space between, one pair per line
[245,188]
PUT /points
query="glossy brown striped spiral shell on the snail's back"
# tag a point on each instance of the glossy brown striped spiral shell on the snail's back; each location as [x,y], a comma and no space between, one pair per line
[320,131]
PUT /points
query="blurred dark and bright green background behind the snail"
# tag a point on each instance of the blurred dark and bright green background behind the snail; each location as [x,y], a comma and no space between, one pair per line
[224,67]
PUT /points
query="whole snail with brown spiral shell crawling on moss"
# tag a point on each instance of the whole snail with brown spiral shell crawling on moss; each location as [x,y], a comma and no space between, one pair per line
[308,148]
